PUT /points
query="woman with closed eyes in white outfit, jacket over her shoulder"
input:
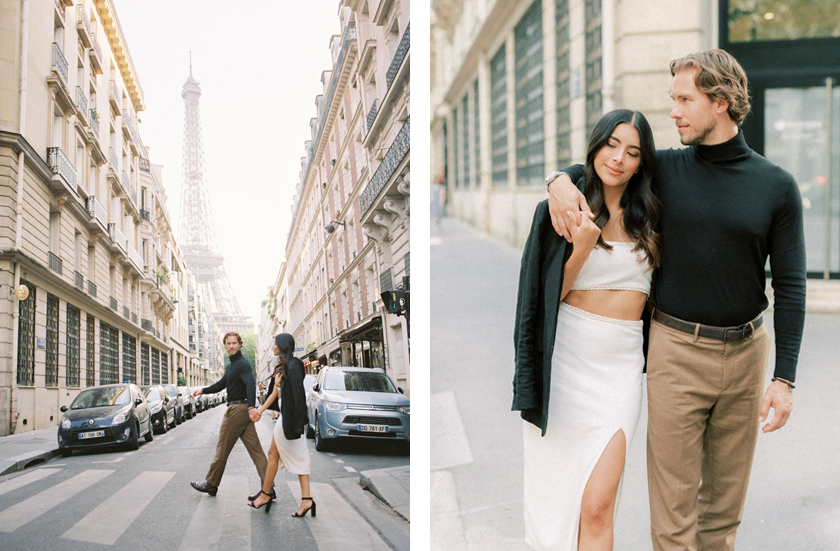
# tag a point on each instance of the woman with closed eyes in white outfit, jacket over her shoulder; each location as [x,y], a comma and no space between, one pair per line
[579,338]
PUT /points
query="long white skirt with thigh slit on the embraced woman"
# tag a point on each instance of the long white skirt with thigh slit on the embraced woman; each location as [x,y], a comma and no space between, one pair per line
[596,390]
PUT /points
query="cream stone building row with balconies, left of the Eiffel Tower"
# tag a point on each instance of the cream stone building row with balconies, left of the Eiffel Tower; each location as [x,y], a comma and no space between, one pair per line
[93,283]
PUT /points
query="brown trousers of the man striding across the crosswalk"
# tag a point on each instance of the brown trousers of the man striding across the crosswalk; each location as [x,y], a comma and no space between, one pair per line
[236,425]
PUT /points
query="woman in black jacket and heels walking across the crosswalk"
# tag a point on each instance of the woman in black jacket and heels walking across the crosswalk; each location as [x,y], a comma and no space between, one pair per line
[288,449]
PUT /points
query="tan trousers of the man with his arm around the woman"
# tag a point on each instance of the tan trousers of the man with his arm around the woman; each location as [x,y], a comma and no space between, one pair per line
[704,398]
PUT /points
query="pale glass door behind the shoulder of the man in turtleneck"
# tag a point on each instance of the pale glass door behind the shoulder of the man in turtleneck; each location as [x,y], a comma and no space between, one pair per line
[802,135]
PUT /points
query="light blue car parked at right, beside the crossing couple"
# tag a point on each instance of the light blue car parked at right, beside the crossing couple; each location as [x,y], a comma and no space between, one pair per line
[357,402]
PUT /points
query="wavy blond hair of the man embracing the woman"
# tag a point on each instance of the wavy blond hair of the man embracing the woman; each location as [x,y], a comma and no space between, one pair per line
[719,76]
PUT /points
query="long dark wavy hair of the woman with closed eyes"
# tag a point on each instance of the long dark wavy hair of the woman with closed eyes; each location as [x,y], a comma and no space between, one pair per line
[640,205]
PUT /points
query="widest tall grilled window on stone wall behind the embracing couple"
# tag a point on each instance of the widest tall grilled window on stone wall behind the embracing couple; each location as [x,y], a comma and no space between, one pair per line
[530,133]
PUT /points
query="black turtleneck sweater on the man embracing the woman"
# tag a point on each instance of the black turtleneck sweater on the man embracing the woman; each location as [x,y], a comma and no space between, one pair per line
[725,209]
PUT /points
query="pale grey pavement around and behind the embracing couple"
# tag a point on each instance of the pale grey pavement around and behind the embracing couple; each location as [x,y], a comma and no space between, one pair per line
[476,458]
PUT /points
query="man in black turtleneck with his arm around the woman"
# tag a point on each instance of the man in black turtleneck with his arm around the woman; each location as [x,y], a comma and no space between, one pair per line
[725,210]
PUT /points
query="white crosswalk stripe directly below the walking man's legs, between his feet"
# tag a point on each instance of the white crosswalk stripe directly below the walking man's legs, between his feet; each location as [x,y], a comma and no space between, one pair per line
[221,522]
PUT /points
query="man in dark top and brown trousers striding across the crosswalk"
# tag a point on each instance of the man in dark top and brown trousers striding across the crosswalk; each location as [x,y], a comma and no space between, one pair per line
[239,419]
